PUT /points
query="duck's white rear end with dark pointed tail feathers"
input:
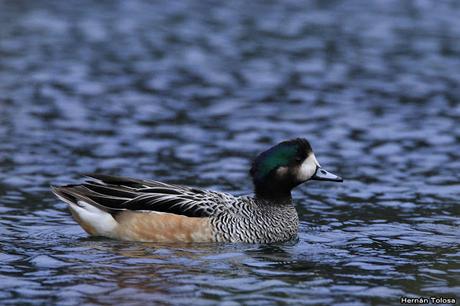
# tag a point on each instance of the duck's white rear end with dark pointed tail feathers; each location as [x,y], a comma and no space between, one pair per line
[93,218]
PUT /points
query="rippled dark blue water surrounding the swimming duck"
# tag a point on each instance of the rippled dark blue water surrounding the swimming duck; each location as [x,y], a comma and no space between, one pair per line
[188,93]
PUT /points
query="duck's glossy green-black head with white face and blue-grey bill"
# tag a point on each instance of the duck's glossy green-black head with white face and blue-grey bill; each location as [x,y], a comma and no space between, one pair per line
[282,167]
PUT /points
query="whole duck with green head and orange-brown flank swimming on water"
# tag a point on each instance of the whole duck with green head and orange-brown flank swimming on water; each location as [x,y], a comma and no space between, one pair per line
[130,209]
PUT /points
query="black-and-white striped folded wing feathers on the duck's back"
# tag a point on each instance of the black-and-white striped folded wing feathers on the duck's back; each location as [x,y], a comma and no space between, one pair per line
[115,193]
